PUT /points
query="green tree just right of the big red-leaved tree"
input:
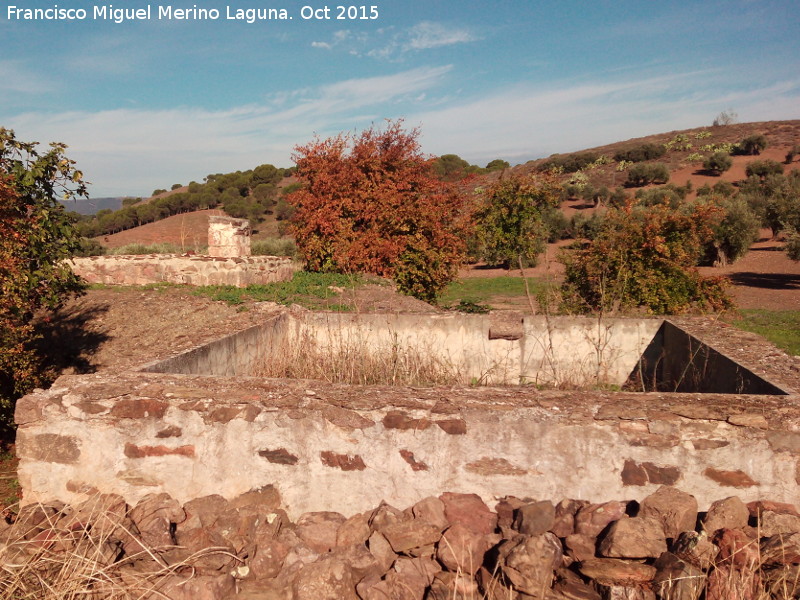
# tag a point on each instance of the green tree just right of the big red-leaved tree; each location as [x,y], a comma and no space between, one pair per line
[510,222]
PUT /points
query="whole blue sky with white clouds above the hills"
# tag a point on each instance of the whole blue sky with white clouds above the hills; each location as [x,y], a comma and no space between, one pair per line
[148,103]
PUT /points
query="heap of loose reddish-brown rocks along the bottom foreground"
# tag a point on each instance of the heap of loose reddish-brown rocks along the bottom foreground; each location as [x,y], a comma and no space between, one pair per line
[448,548]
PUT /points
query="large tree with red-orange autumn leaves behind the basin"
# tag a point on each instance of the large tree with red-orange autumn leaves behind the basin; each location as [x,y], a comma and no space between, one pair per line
[369,203]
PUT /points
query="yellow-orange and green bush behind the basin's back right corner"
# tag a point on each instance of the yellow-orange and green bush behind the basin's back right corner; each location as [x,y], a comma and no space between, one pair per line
[645,257]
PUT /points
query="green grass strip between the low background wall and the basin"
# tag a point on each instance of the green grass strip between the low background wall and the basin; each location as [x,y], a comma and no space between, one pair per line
[311,290]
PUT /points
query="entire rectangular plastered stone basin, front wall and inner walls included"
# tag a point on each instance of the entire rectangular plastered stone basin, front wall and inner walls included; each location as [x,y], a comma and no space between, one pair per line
[710,422]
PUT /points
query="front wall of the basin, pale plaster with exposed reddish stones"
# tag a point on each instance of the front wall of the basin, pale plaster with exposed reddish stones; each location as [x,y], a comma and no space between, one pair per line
[329,447]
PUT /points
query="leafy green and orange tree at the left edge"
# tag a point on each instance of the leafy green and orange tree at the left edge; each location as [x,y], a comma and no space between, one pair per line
[36,238]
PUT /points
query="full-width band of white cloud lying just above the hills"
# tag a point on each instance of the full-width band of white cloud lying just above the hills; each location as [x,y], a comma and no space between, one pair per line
[132,151]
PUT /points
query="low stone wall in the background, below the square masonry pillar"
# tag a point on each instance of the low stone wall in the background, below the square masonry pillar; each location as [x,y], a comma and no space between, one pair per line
[183,269]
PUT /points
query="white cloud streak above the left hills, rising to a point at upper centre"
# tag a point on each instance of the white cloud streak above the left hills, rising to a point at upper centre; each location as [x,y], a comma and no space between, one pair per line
[132,151]
